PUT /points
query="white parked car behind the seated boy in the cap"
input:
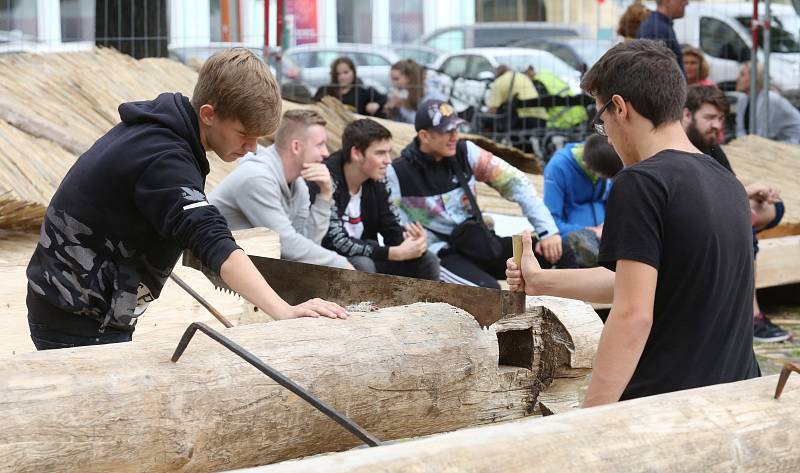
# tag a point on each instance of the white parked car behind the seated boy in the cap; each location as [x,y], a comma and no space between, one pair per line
[465,75]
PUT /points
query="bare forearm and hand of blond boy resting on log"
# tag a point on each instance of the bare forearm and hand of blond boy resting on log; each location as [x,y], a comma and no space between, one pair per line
[241,275]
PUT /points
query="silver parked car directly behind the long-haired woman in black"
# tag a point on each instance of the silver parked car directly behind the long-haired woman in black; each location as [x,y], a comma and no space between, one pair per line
[372,63]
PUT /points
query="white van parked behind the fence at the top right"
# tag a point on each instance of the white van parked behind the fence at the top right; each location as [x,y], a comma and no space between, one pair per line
[722,32]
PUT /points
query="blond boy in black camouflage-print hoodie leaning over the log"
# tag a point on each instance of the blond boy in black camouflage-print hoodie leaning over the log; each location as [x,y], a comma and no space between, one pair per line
[131,203]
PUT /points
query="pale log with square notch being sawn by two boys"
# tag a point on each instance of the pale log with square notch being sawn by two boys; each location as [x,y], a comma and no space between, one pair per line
[399,372]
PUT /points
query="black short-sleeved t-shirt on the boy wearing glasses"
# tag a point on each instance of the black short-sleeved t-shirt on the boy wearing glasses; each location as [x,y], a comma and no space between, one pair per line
[689,218]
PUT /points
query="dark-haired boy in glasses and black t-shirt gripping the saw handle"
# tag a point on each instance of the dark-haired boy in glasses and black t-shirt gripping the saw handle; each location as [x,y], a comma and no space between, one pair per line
[675,264]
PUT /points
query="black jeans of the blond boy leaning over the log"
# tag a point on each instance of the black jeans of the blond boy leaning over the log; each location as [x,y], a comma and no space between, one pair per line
[52,328]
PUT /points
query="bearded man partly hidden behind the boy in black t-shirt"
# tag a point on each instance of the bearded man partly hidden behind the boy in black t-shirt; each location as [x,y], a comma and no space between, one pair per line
[703,118]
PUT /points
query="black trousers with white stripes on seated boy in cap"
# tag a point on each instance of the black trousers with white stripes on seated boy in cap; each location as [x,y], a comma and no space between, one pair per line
[456,268]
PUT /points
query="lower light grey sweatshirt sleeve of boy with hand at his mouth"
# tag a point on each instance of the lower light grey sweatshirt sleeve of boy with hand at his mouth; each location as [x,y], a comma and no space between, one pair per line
[260,200]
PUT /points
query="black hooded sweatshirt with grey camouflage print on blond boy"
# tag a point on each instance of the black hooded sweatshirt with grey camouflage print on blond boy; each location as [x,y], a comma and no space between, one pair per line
[124,212]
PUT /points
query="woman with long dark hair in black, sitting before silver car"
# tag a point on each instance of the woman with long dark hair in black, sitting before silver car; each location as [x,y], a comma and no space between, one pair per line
[347,87]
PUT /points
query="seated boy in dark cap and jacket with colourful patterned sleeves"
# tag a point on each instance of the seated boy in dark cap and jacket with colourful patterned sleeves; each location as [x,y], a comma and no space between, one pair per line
[433,183]
